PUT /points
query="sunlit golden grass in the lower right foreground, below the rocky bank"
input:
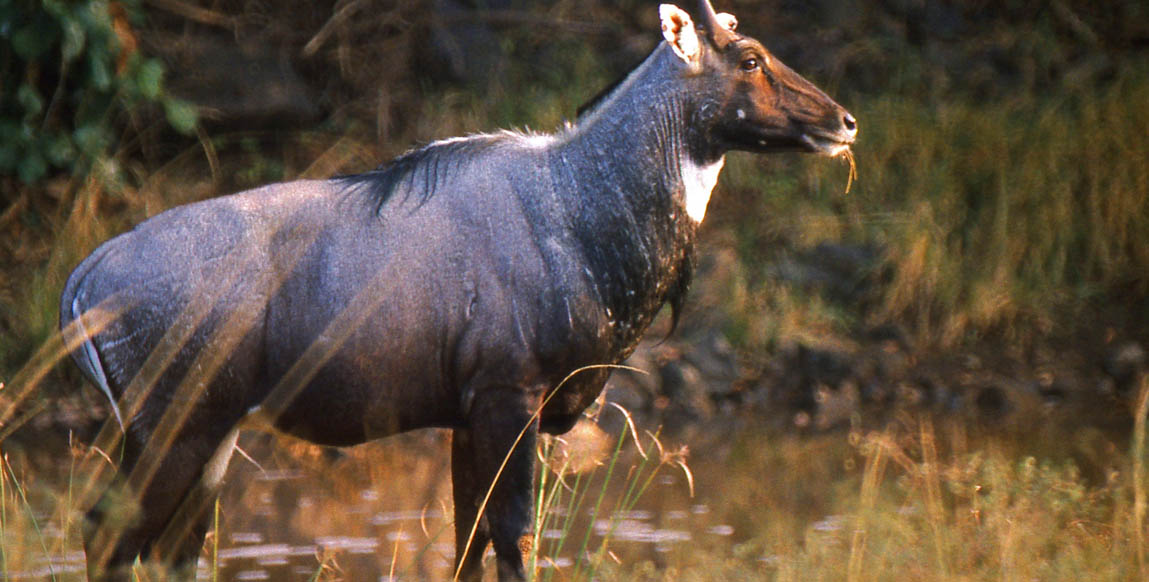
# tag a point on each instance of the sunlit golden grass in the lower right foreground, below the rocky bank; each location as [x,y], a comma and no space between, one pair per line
[911,503]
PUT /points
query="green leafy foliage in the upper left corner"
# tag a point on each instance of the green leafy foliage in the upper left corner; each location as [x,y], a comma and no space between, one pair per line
[68,68]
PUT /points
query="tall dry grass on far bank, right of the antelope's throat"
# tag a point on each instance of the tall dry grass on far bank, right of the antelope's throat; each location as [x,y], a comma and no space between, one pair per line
[996,216]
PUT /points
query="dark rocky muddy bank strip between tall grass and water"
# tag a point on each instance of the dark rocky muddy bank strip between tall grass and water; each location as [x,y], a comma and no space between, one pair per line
[821,387]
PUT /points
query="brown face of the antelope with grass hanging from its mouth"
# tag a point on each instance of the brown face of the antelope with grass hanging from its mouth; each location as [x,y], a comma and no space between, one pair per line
[768,107]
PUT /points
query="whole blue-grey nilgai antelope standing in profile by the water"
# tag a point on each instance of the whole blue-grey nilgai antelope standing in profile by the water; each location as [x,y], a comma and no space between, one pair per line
[457,286]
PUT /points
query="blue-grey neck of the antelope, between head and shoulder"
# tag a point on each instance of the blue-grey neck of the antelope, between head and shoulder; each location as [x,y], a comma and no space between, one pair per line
[626,160]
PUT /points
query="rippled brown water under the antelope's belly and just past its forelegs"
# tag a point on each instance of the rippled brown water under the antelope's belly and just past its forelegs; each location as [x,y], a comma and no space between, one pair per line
[383,511]
